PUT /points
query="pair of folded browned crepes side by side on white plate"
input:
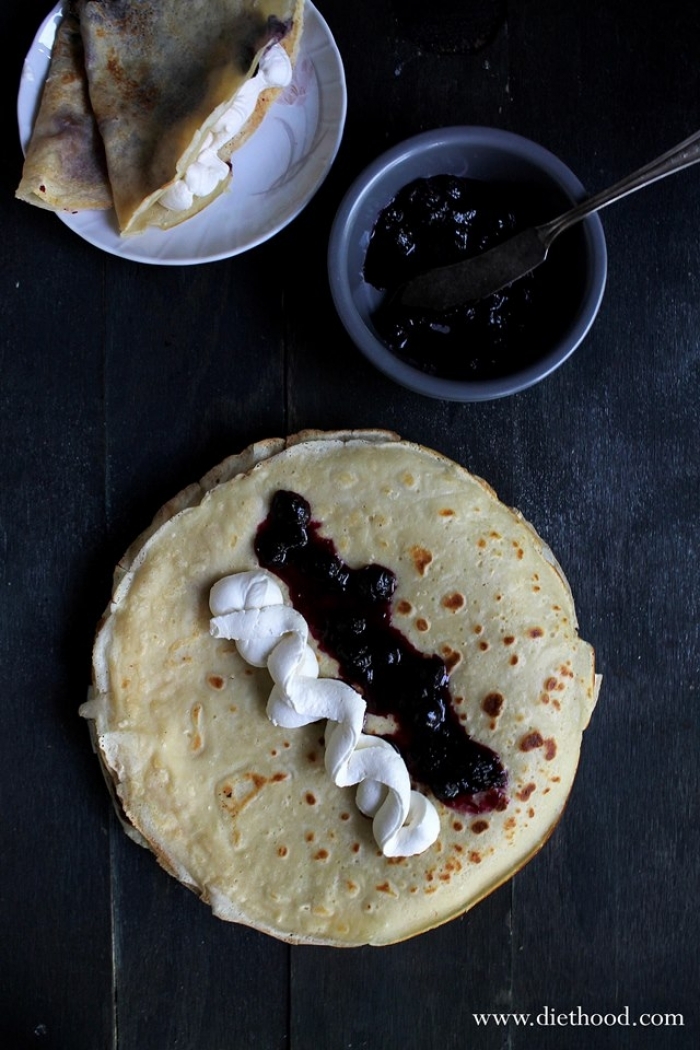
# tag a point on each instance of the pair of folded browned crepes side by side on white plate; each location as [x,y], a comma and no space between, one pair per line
[133,92]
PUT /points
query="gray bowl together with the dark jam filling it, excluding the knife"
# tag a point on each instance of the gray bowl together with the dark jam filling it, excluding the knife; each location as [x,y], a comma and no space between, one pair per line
[443,197]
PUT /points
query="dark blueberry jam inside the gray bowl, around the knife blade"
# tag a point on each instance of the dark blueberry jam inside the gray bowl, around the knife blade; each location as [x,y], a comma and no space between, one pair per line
[443,220]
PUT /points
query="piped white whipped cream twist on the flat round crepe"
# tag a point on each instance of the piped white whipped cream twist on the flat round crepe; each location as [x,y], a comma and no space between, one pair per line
[250,610]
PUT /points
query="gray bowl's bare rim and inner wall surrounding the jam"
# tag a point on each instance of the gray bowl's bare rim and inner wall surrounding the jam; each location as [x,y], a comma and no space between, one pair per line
[476,153]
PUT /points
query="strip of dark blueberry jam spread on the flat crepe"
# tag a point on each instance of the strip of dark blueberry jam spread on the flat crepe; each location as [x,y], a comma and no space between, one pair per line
[349,614]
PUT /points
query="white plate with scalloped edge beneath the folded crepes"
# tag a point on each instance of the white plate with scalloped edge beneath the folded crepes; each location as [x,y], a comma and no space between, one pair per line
[275,175]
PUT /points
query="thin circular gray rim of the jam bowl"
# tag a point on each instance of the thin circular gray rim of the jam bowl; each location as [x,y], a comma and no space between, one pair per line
[379,171]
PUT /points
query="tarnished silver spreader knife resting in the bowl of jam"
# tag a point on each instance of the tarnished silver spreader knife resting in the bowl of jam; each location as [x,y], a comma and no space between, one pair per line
[477,278]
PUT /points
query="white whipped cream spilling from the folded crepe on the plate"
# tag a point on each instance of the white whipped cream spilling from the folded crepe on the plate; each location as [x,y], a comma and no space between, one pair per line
[207,171]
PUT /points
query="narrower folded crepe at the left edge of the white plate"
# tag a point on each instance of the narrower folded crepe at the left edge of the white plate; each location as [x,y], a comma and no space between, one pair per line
[66,167]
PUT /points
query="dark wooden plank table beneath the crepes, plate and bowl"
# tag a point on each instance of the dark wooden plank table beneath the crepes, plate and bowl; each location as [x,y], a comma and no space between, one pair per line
[122,383]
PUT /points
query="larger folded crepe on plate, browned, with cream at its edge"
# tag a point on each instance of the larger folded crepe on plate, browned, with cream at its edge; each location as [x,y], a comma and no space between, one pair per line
[160,73]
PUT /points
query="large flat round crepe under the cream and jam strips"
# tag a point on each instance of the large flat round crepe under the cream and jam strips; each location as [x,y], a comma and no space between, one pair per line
[242,811]
